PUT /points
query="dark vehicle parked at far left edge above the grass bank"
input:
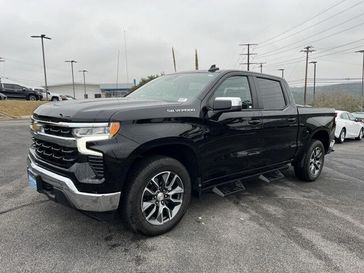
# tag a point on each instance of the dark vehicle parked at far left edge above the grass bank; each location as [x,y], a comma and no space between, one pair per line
[15,91]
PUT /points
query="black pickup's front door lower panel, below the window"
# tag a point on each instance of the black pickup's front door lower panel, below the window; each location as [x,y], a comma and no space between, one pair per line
[233,144]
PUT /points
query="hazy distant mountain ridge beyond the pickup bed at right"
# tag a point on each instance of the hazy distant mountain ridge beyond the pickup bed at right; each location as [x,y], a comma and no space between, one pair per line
[352,89]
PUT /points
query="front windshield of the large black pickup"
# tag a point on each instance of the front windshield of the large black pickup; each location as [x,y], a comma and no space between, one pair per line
[175,87]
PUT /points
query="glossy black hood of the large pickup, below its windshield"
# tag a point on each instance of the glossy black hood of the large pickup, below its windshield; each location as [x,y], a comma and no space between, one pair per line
[106,109]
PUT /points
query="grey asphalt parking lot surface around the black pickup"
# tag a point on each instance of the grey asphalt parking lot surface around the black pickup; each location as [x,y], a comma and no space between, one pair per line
[285,226]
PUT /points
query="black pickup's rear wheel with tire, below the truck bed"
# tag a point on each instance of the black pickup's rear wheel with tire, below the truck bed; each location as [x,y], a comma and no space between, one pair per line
[310,166]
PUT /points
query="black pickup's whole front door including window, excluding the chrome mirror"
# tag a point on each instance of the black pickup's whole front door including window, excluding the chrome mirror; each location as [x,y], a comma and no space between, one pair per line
[233,141]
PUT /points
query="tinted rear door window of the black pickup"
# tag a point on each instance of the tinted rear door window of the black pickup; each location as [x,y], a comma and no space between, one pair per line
[270,93]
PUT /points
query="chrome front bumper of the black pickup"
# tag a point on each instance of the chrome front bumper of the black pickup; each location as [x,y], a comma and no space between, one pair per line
[64,185]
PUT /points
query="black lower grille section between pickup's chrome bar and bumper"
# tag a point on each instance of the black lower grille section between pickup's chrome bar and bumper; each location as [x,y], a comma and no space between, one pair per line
[55,154]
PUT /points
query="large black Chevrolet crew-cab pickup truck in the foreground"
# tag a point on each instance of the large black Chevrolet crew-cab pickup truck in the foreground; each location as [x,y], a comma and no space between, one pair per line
[145,154]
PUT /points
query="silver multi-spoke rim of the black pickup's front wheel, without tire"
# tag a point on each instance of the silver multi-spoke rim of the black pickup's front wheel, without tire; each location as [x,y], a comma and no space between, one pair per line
[162,198]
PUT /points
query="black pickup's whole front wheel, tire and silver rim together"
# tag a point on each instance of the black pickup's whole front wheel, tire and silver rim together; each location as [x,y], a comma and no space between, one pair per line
[157,196]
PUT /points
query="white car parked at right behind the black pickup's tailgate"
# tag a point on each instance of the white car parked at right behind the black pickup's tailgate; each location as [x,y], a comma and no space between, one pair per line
[347,127]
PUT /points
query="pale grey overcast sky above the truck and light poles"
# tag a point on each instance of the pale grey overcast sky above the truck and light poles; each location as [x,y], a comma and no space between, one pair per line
[91,32]
